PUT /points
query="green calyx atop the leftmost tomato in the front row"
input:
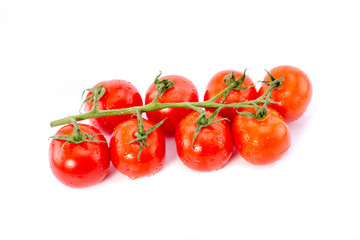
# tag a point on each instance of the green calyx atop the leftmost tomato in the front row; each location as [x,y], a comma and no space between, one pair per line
[77,136]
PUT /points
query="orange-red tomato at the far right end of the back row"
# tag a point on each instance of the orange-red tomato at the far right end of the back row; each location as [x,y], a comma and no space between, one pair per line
[293,96]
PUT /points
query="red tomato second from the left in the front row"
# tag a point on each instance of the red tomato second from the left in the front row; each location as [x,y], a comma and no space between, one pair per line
[124,156]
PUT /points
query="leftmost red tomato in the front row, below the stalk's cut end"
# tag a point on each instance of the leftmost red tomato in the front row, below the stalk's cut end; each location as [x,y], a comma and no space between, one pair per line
[79,165]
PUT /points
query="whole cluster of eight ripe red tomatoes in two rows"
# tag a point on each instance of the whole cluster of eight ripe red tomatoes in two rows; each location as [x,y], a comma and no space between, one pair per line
[204,140]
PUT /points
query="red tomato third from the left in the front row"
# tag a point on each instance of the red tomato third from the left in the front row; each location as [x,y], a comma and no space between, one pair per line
[212,148]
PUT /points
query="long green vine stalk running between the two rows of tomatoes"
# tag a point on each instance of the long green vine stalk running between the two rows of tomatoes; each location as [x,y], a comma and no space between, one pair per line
[155,105]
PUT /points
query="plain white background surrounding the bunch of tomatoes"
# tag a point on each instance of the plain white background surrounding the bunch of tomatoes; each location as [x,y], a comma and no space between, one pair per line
[50,51]
